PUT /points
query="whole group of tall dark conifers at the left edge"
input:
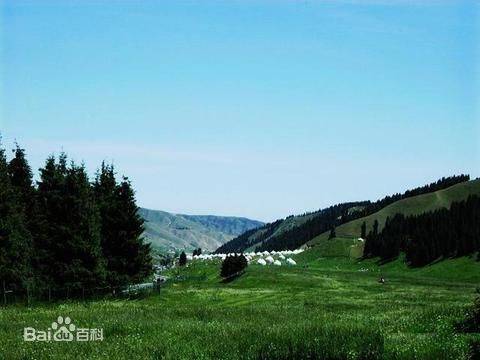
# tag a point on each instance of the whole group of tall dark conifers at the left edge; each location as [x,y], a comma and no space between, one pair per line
[66,231]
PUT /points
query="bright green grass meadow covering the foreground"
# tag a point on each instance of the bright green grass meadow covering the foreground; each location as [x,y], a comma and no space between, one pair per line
[330,308]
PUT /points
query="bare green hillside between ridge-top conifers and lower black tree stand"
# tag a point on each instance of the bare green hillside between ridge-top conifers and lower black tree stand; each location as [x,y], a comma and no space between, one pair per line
[410,206]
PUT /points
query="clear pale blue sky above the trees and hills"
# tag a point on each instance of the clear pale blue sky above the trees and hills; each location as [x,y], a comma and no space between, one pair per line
[250,108]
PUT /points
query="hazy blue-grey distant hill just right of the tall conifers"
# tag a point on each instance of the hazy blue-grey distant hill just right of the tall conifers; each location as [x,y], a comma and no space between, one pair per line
[167,231]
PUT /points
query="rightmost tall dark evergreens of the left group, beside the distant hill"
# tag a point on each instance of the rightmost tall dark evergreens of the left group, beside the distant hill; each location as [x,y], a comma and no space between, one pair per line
[127,257]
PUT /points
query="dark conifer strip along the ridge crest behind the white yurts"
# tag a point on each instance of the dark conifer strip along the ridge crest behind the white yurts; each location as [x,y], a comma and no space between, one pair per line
[325,220]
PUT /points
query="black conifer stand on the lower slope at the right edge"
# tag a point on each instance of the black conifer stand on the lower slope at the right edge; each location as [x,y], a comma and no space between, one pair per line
[430,236]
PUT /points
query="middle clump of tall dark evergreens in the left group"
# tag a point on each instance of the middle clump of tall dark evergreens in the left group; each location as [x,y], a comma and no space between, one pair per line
[67,241]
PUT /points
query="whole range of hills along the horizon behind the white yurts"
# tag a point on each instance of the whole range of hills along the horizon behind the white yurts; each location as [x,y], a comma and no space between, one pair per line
[170,232]
